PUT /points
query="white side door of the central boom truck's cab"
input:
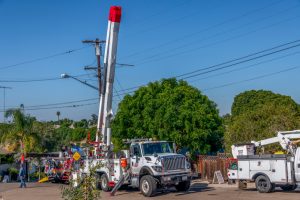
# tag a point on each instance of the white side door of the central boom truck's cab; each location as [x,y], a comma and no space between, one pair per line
[135,158]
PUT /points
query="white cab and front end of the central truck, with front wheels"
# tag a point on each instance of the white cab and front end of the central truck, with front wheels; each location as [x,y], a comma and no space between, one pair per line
[155,164]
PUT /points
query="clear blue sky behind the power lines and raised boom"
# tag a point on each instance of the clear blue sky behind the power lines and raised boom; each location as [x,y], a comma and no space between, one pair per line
[162,38]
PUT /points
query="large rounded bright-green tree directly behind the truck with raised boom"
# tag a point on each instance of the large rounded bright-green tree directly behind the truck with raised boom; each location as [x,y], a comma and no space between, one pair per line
[170,110]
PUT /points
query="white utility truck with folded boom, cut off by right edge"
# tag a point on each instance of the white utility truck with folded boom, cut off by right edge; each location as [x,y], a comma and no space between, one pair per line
[268,170]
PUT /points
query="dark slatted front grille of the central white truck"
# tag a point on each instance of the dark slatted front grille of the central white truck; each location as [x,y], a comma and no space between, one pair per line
[173,162]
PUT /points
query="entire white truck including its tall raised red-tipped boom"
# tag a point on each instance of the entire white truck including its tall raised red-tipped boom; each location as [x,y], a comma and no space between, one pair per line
[147,165]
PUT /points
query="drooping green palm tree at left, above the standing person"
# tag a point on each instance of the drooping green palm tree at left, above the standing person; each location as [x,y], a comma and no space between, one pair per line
[22,133]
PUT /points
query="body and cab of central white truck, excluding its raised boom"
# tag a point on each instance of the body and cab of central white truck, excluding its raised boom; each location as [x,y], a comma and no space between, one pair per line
[149,166]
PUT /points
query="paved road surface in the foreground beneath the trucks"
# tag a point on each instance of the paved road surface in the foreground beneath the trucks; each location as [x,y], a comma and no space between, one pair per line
[199,190]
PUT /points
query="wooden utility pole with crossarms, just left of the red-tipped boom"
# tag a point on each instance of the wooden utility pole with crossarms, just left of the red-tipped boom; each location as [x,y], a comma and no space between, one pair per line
[98,52]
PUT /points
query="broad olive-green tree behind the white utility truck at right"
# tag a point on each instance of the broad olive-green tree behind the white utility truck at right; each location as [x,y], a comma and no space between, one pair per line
[259,114]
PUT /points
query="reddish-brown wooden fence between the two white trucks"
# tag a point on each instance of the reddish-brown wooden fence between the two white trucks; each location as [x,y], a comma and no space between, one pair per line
[207,165]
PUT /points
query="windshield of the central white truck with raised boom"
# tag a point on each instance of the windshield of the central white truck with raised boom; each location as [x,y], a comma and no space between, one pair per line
[156,148]
